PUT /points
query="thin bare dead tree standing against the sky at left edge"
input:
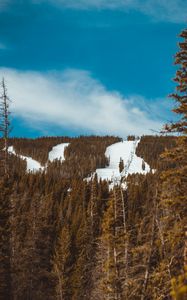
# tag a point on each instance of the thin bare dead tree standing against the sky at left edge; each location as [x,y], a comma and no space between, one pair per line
[5,122]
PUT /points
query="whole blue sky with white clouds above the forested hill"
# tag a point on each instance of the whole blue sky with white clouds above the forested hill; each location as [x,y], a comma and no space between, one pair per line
[89,66]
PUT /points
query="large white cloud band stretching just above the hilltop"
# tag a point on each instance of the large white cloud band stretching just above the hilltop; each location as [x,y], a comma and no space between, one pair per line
[75,100]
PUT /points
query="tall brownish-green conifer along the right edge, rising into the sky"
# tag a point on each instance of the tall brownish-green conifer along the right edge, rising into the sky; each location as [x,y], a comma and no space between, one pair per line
[174,179]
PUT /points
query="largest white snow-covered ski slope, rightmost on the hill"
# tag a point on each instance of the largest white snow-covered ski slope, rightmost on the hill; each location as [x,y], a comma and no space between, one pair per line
[132,163]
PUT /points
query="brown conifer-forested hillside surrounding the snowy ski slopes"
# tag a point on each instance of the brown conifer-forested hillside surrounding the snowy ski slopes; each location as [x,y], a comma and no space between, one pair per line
[69,238]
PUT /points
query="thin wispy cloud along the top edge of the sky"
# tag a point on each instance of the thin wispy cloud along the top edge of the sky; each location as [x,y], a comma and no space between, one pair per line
[164,10]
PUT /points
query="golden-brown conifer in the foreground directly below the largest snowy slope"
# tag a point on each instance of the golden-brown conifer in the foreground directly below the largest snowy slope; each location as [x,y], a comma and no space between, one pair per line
[113,250]
